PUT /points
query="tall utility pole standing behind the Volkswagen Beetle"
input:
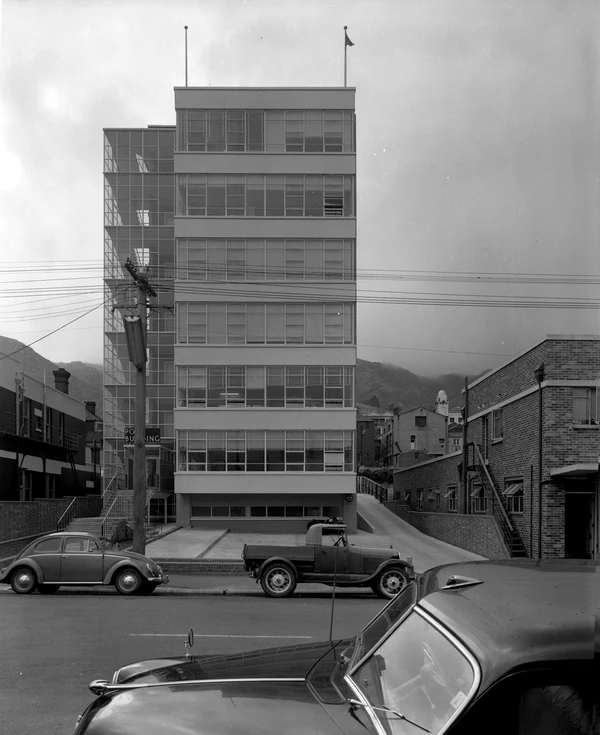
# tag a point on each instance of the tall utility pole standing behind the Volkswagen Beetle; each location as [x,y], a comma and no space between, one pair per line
[139,447]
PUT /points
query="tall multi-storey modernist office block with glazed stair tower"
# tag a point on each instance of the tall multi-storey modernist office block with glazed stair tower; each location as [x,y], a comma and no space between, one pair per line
[255,265]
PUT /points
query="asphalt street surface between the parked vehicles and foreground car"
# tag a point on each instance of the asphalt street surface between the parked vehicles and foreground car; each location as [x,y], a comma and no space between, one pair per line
[51,648]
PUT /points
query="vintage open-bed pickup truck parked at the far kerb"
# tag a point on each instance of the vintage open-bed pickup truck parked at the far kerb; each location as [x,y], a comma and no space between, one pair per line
[327,557]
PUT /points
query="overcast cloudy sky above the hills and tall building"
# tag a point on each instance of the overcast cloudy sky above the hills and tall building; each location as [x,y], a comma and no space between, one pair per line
[477,153]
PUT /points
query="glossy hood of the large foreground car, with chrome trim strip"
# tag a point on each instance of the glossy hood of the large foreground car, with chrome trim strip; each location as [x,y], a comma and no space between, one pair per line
[250,693]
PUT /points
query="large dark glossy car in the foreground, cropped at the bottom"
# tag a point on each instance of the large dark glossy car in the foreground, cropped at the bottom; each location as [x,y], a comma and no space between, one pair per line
[501,648]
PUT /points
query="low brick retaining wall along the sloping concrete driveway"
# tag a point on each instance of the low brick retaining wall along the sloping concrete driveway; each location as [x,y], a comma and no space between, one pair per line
[477,533]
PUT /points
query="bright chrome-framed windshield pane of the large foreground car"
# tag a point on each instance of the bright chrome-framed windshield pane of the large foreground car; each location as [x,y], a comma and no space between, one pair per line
[419,673]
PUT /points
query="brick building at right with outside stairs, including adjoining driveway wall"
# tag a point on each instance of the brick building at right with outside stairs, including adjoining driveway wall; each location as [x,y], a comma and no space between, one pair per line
[526,483]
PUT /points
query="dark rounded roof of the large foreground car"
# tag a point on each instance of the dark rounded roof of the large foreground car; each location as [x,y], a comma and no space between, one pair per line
[522,611]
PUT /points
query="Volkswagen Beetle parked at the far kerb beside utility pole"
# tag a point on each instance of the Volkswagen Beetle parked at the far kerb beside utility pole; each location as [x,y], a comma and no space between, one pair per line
[79,559]
